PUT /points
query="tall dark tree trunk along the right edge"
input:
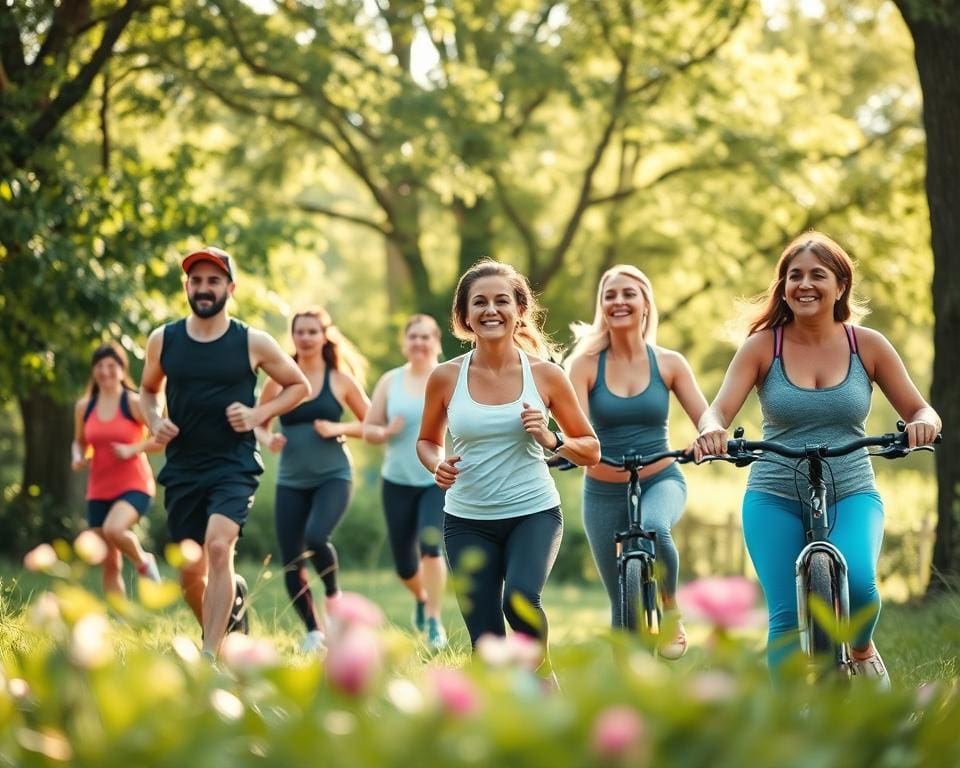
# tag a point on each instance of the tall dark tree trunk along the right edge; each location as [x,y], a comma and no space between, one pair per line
[937,44]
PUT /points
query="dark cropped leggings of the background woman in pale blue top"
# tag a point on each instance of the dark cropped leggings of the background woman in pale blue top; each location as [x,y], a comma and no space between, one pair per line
[414,518]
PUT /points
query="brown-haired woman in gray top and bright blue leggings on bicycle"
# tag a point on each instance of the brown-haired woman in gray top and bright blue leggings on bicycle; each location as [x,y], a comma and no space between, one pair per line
[814,376]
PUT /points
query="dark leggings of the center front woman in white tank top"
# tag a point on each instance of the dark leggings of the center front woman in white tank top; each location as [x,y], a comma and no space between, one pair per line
[493,560]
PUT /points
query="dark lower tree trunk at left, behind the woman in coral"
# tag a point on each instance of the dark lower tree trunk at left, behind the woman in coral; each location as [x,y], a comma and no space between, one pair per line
[51,494]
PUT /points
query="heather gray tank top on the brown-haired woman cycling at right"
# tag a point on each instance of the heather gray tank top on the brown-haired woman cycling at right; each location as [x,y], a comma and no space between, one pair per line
[797,416]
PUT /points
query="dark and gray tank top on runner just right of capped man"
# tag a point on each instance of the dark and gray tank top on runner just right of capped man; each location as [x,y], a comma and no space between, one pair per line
[308,460]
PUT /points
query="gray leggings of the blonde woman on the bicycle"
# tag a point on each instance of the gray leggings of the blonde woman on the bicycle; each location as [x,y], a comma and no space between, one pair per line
[662,497]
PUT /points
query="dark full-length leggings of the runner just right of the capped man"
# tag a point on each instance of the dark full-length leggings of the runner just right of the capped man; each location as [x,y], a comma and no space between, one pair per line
[305,518]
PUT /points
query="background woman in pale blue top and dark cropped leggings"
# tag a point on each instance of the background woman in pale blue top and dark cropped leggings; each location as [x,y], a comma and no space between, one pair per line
[412,502]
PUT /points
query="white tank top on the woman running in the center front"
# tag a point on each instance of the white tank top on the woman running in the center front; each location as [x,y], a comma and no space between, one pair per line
[502,471]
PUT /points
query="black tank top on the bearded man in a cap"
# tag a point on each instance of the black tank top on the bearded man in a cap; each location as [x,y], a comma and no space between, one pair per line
[203,378]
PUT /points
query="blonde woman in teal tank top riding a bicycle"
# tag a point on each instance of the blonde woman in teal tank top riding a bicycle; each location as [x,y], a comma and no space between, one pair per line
[623,381]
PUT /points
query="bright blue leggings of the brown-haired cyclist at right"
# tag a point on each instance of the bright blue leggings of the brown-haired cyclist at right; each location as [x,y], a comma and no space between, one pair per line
[773,531]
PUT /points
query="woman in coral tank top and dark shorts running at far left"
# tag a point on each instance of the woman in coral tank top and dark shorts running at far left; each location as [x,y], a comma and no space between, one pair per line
[110,438]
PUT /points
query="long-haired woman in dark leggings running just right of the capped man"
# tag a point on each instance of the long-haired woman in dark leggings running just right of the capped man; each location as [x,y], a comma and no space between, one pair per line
[315,476]
